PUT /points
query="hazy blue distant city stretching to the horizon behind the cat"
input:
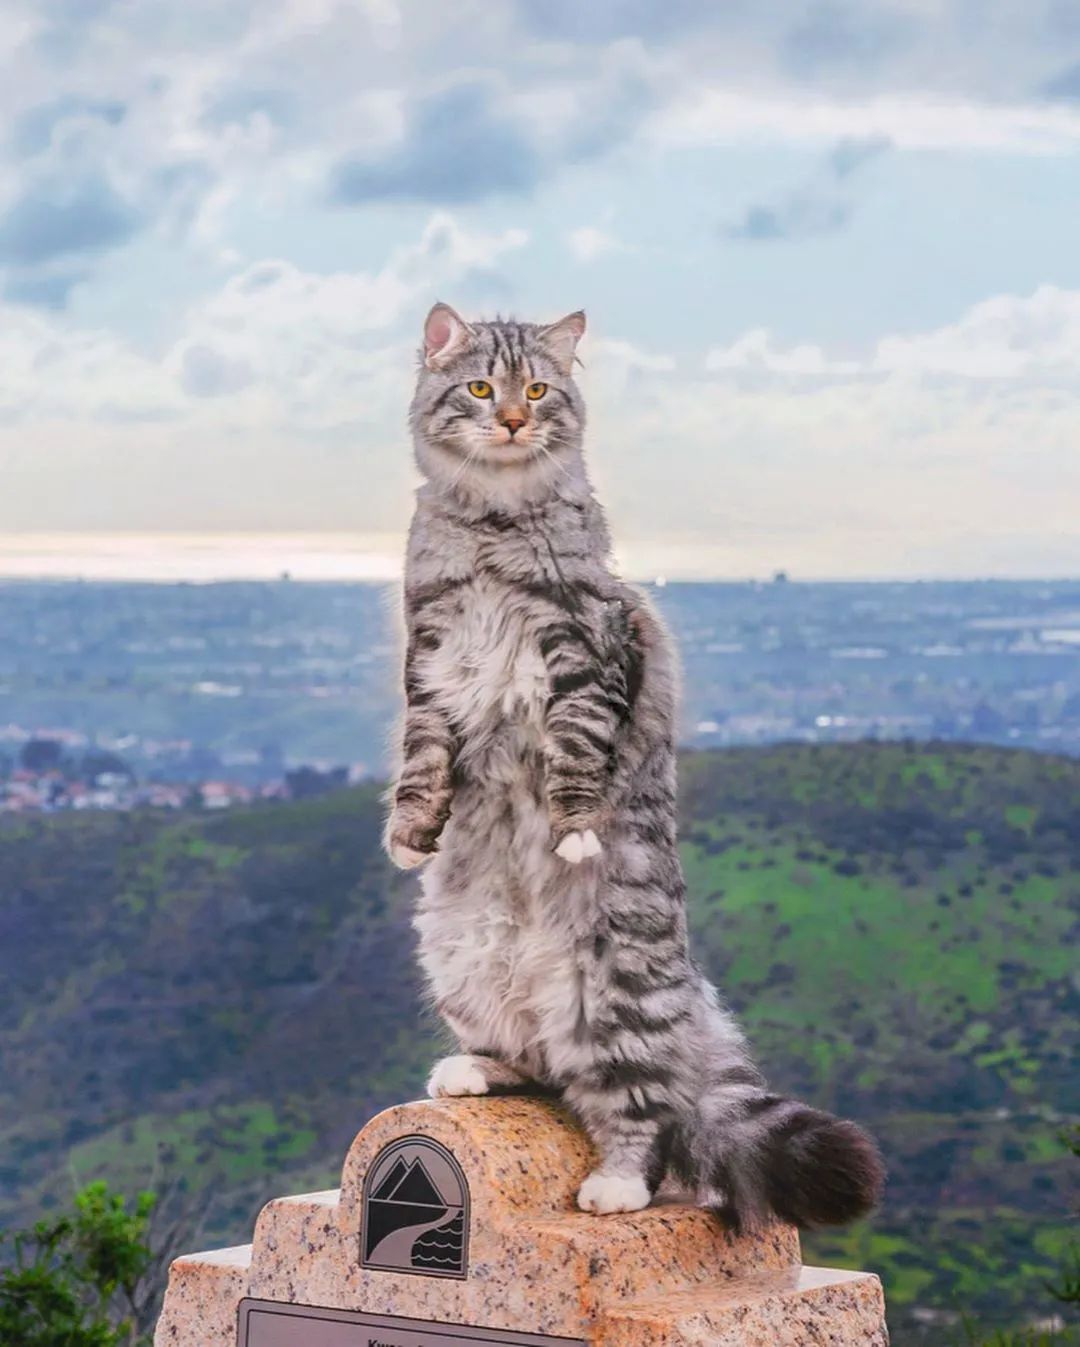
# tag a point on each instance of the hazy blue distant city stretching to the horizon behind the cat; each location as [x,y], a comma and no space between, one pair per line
[126,696]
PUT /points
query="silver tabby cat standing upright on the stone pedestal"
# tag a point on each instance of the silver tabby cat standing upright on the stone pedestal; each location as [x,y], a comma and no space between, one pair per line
[538,783]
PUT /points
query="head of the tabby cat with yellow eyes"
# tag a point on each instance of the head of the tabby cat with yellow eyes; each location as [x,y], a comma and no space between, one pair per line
[498,416]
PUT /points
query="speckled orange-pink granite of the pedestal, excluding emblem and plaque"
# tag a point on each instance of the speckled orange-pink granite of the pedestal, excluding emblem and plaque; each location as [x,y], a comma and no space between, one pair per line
[667,1275]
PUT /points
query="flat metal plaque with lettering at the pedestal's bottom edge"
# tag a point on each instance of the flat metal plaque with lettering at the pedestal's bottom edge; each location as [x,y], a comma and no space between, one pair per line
[269,1323]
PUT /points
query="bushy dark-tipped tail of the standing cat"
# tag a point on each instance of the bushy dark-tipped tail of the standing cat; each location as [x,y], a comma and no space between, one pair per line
[753,1155]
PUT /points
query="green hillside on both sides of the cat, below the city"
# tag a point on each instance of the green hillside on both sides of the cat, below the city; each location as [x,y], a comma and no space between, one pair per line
[230,997]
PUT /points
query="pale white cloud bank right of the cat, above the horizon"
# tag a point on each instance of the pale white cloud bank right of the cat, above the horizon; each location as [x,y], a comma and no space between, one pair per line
[946,452]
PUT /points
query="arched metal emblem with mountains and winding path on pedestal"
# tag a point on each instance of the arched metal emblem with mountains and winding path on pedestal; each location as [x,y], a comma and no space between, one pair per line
[415,1212]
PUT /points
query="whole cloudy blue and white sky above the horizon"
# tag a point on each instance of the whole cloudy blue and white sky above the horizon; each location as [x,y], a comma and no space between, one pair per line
[829,254]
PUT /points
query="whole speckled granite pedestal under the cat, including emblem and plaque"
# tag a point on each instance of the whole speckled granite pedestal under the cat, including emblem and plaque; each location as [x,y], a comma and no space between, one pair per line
[459,1216]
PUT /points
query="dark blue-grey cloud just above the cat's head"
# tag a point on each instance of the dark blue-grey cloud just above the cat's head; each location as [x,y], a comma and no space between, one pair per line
[459,146]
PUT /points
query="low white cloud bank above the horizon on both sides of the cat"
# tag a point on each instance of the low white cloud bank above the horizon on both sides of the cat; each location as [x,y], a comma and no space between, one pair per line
[946,452]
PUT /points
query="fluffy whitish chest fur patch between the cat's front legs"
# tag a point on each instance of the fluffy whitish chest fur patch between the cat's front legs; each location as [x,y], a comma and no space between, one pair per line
[490,669]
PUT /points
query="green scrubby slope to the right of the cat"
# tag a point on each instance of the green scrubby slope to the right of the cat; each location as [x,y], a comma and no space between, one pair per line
[898,929]
